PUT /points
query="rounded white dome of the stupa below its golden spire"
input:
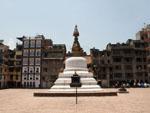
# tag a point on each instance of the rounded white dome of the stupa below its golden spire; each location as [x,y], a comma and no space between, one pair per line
[76,64]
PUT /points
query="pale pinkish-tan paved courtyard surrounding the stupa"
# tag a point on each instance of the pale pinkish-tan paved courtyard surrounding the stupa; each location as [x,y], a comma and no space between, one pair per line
[22,101]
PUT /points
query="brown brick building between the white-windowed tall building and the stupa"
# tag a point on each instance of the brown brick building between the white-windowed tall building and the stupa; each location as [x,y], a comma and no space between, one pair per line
[52,63]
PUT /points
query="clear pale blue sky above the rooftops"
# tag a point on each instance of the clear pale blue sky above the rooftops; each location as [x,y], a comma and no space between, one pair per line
[99,21]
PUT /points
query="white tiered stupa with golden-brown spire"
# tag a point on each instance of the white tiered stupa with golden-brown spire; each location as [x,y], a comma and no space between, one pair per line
[76,64]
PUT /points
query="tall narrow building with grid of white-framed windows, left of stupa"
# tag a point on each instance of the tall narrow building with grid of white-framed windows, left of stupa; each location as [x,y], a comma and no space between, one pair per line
[31,61]
